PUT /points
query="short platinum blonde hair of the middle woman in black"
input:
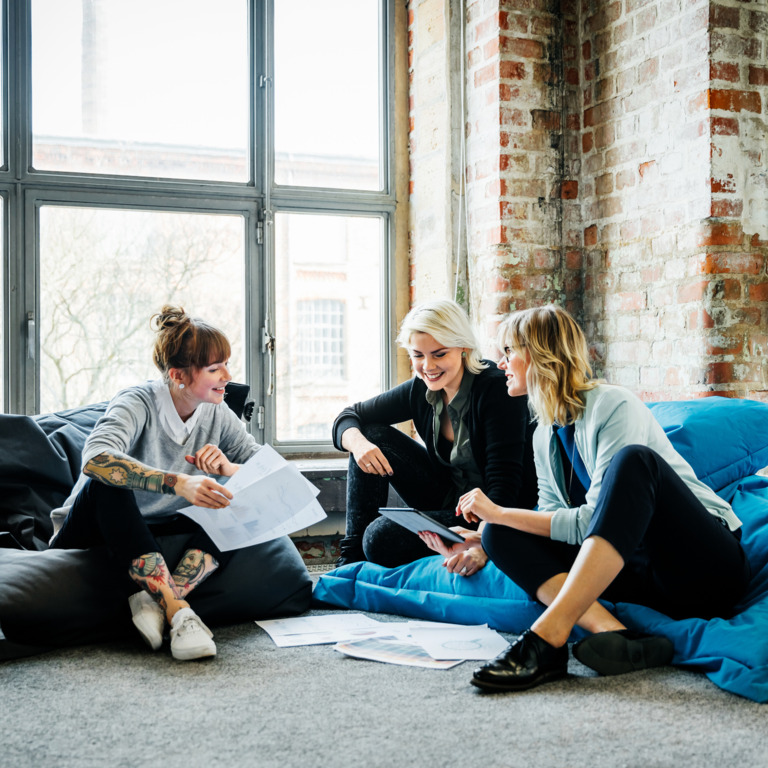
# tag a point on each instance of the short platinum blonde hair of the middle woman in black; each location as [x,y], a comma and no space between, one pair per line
[447,323]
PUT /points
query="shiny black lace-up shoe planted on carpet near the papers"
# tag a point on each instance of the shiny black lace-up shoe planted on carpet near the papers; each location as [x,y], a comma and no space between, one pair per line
[528,662]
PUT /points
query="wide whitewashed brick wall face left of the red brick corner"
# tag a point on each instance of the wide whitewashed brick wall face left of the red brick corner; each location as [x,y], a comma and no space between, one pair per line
[645,181]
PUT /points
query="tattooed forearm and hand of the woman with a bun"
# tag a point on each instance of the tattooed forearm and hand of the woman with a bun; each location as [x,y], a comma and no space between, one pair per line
[122,471]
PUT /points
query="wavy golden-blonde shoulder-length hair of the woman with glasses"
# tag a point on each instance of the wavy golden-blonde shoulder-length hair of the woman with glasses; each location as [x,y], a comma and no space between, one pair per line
[559,369]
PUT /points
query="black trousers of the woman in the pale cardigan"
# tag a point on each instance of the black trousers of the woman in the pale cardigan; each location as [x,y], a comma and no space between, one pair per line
[678,558]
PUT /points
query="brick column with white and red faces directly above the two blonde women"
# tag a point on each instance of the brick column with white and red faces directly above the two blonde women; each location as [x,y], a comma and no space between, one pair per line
[522,134]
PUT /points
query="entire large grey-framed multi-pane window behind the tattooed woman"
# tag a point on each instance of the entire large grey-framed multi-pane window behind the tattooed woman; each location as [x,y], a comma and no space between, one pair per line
[240,167]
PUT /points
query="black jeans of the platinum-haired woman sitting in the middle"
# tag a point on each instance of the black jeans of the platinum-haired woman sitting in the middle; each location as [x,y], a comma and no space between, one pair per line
[421,485]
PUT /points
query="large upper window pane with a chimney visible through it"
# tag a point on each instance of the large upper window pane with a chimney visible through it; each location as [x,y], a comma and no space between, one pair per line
[141,87]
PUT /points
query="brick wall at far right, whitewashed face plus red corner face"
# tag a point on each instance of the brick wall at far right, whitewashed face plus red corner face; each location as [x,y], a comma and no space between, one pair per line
[669,268]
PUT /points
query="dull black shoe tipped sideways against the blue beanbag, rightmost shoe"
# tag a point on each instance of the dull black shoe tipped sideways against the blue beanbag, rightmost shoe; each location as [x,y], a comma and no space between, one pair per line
[614,653]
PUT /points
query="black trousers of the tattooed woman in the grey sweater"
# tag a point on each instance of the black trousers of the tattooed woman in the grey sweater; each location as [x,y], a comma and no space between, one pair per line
[109,516]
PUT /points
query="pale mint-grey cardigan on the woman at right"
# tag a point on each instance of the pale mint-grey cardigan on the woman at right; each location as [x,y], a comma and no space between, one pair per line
[613,418]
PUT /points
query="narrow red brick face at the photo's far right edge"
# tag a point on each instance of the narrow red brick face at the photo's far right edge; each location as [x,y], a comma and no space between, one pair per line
[733,255]
